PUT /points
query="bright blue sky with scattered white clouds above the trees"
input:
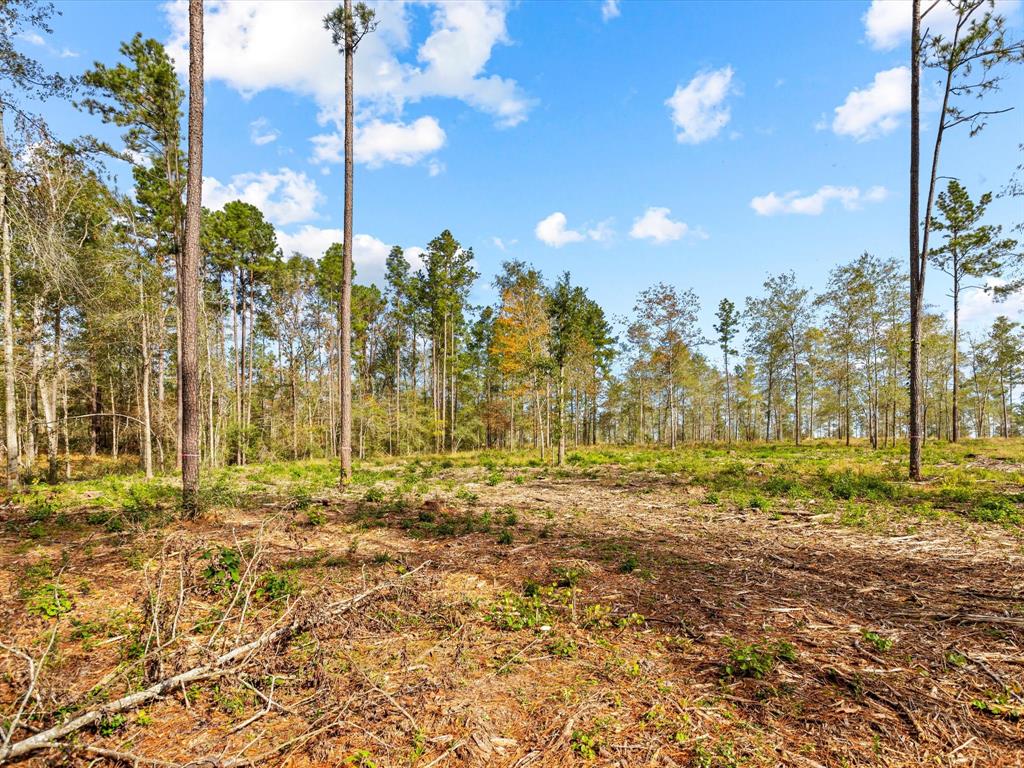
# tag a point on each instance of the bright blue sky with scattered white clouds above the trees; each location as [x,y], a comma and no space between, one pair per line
[702,145]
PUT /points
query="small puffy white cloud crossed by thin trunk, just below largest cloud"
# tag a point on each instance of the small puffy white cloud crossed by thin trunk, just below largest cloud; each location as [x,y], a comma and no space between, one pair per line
[378,143]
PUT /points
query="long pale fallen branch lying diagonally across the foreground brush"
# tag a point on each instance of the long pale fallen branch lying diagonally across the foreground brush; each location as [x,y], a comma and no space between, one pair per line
[48,739]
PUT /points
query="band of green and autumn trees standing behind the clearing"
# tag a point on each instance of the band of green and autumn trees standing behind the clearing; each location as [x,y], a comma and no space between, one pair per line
[100,357]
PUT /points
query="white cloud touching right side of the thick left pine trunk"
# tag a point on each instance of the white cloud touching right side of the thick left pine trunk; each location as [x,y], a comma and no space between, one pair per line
[286,197]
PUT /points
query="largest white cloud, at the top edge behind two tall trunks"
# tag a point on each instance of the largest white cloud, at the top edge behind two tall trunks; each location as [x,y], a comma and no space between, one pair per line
[264,45]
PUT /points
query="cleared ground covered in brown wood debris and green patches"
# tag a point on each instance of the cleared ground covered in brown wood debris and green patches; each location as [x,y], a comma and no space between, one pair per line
[708,607]
